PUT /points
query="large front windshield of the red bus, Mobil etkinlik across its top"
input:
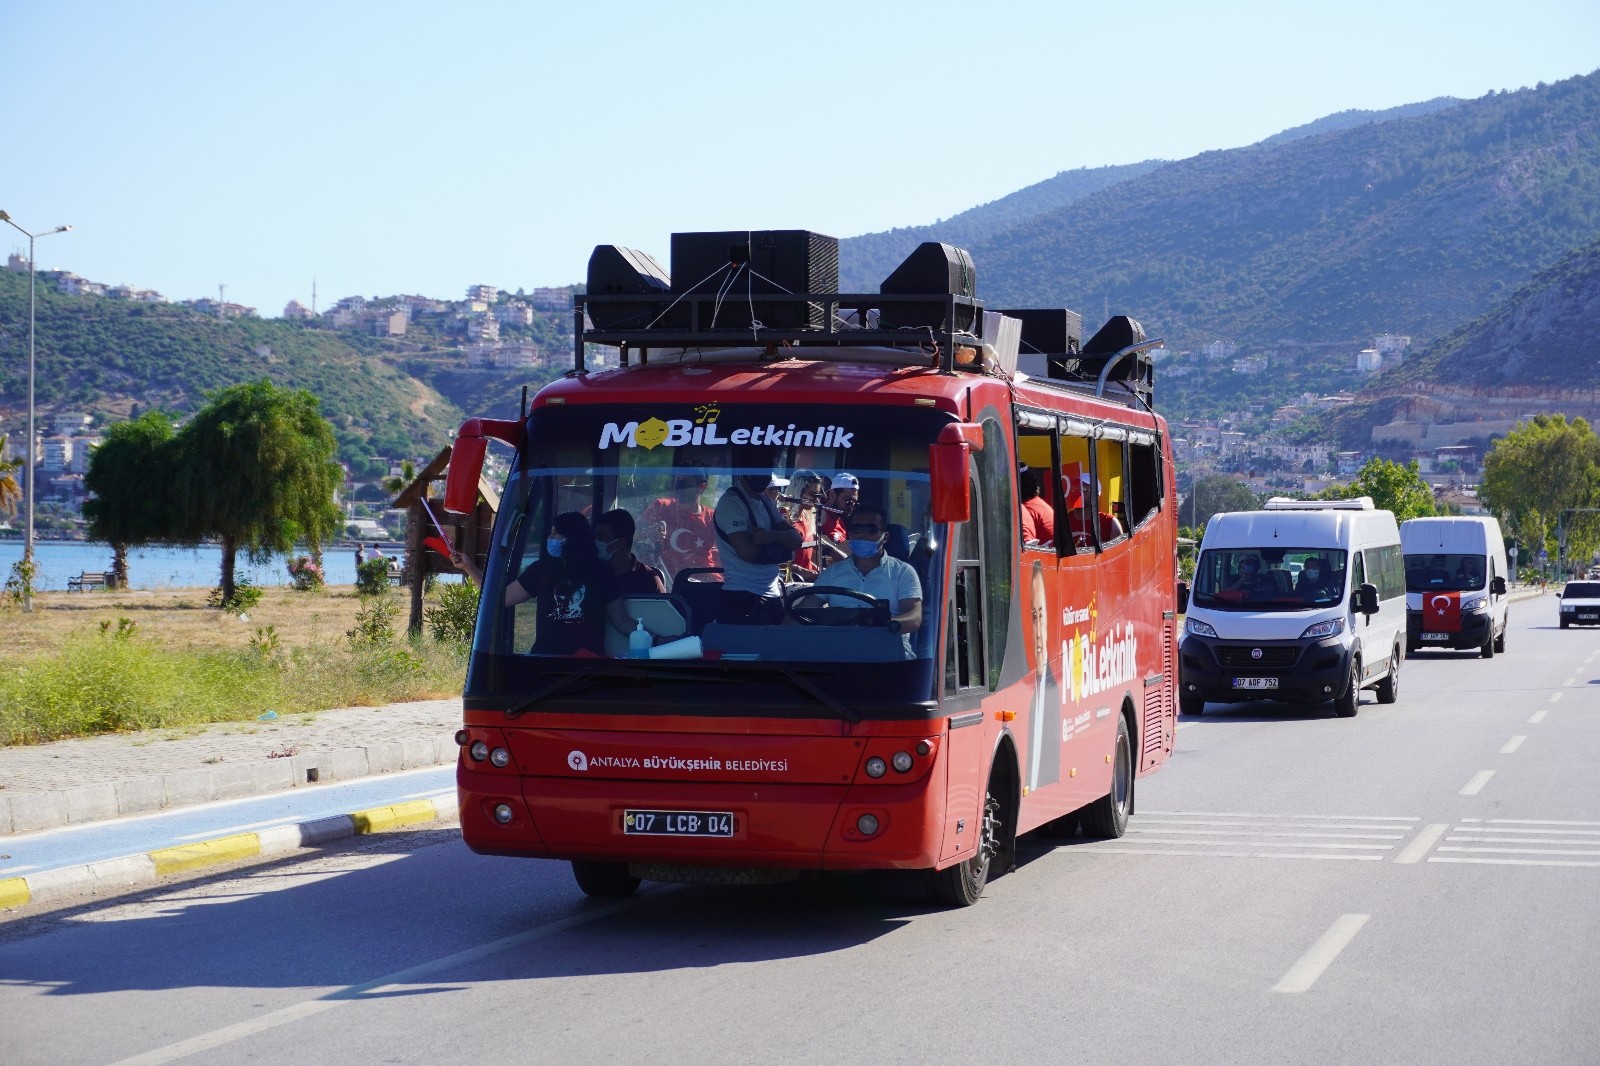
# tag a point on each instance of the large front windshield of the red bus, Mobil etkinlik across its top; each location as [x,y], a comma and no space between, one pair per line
[558,617]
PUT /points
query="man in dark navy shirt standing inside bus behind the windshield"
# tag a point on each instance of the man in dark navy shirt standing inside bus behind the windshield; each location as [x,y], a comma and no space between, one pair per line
[756,540]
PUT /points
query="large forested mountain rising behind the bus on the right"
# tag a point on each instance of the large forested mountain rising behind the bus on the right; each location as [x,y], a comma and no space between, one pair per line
[1407,226]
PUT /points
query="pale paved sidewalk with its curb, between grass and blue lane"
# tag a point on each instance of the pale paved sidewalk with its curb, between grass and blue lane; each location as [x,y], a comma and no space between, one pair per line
[132,774]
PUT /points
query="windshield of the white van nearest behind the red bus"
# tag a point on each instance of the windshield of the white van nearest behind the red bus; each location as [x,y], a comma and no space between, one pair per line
[1270,579]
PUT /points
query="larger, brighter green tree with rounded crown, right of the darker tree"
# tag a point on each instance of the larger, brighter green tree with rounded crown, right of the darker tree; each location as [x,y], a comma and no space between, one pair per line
[257,473]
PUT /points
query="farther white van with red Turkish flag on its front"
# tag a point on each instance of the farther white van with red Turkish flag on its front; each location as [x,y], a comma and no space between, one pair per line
[1455,585]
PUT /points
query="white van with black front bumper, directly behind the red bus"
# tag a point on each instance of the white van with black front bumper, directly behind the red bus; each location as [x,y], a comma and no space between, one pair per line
[1255,633]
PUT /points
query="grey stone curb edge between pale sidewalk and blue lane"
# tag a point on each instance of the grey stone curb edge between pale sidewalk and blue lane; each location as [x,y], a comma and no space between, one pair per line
[33,812]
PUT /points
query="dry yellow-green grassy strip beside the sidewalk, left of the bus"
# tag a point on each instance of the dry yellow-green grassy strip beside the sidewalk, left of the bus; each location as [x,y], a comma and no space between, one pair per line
[110,662]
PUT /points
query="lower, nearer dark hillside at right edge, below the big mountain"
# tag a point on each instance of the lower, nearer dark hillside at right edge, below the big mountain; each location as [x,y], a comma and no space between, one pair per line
[1538,351]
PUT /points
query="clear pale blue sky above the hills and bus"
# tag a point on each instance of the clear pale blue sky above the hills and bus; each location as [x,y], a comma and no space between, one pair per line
[410,148]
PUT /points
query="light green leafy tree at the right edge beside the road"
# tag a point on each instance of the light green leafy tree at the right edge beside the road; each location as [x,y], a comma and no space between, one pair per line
[1540,470]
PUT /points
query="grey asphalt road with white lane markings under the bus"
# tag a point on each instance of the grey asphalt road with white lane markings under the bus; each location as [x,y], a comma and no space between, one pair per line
[1420,884]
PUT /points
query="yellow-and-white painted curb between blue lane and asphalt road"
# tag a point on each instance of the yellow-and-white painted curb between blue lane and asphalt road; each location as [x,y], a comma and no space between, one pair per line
[132,872]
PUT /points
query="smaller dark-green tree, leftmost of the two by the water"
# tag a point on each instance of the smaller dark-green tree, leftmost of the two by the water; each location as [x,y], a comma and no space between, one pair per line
[130,484]
